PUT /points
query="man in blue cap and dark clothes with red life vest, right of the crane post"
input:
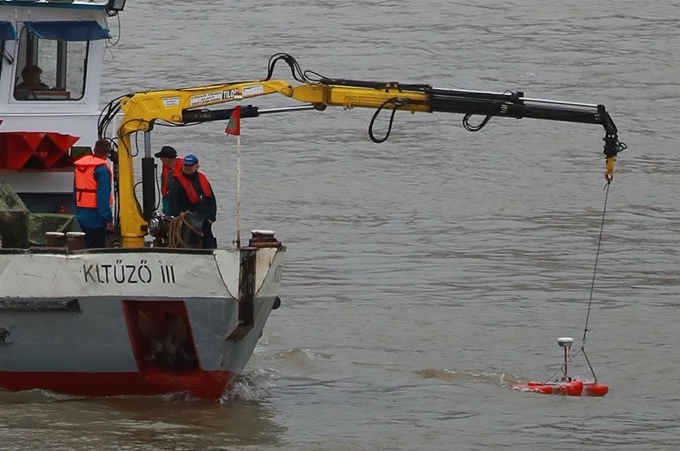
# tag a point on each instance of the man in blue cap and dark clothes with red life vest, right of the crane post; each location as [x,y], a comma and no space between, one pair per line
[191,191]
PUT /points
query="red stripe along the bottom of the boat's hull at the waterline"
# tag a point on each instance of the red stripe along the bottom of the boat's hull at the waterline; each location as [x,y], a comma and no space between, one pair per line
[203,384]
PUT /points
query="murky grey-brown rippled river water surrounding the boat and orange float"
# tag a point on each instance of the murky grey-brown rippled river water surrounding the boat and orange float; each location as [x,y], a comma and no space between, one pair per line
[428,273]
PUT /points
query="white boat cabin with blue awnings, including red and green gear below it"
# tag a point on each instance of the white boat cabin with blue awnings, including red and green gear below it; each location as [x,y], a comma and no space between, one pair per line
[50,71]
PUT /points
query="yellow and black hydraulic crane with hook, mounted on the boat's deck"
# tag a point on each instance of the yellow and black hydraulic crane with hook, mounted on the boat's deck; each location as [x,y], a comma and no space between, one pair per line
[187,106]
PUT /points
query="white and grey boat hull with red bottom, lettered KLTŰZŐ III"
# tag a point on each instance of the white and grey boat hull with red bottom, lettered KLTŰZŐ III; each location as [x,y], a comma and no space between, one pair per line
[74,322]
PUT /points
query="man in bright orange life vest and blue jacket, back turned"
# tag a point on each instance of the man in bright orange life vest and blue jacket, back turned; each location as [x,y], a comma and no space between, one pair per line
[92,185]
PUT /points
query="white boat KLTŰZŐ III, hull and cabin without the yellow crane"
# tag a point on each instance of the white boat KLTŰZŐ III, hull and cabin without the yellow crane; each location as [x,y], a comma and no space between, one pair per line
[122,320]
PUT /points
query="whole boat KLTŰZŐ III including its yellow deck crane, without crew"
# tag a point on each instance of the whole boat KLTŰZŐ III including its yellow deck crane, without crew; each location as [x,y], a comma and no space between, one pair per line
[149,313]
